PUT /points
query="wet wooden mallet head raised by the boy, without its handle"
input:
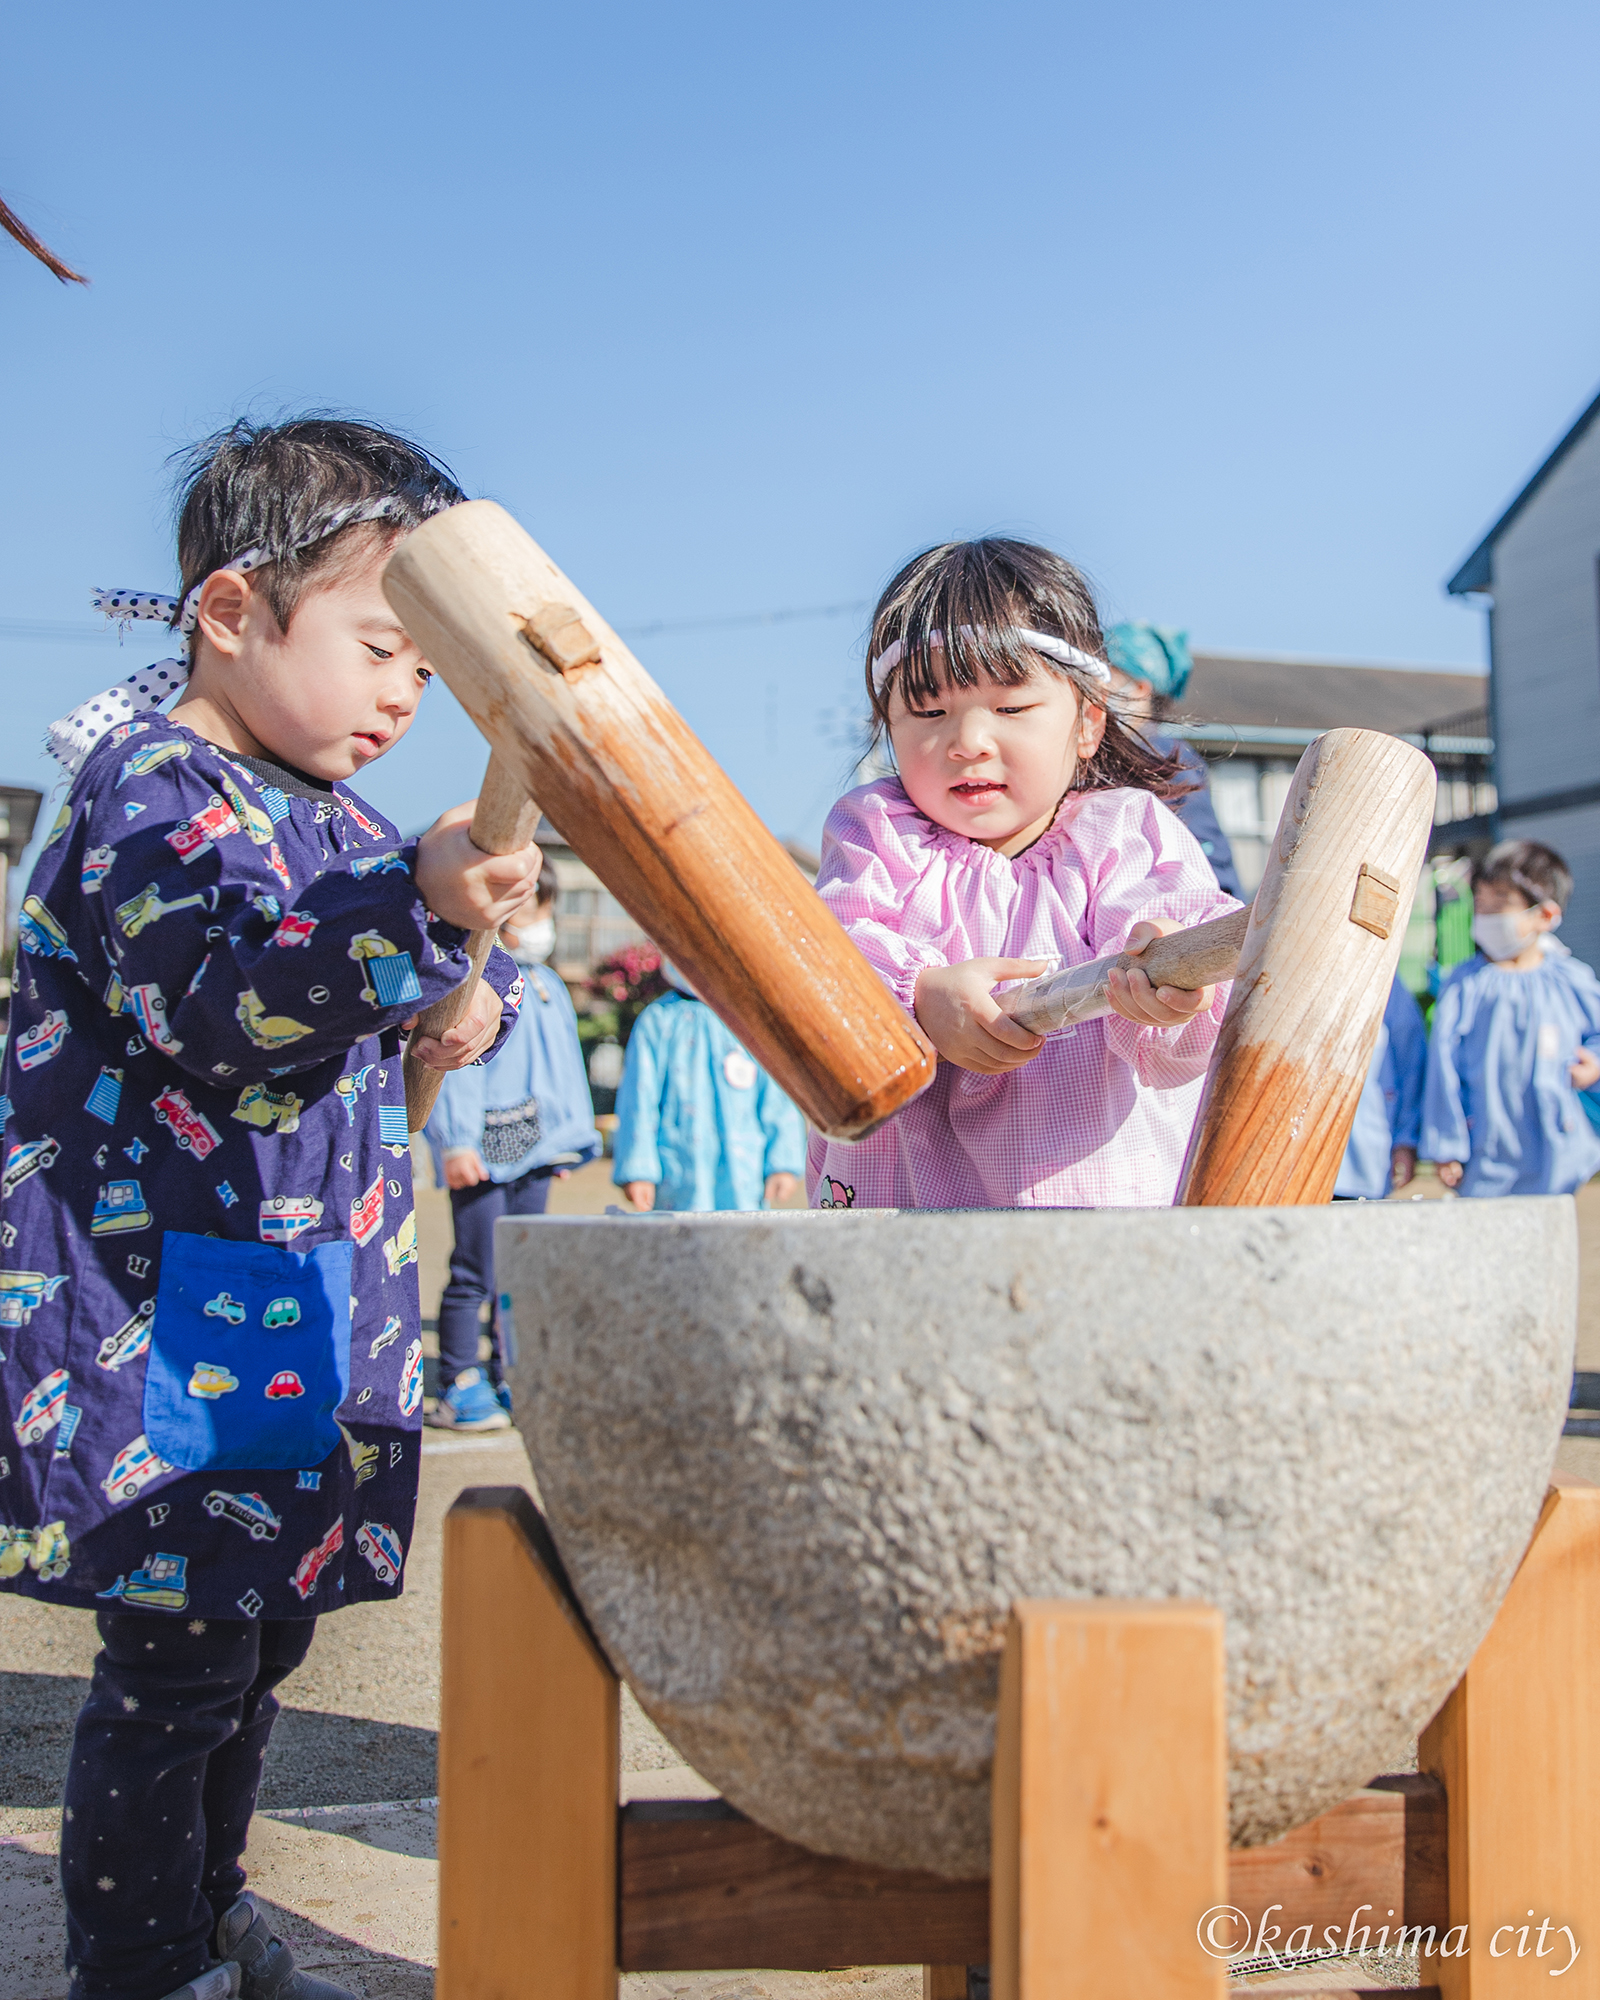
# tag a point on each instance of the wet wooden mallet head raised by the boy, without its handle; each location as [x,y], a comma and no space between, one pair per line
[581,725]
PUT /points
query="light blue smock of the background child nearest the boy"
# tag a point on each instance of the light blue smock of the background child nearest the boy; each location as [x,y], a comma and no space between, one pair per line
[531,1107]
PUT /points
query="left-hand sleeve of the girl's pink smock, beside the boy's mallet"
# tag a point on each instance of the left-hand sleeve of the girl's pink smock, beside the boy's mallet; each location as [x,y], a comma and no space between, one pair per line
[869,879]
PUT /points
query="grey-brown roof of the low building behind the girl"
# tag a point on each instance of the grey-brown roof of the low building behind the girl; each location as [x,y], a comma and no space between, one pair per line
[1281,699]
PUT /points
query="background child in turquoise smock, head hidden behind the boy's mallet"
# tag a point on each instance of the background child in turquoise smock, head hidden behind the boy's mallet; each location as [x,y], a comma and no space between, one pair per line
[699,1123]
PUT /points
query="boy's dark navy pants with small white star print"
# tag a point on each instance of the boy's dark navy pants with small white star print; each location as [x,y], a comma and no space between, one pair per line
[165,1769]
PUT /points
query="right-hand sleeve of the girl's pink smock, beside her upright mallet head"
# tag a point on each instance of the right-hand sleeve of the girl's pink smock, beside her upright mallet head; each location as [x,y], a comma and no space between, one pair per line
[1151,867]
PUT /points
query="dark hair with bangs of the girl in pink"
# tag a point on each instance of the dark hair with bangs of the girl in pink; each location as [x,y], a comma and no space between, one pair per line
[975,597]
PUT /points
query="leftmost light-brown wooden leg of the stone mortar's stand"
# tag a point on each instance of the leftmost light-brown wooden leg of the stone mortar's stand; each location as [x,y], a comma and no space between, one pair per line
[527,1765]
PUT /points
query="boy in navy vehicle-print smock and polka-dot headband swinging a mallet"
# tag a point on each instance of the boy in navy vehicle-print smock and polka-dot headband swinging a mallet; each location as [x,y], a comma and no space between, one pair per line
[209,1275]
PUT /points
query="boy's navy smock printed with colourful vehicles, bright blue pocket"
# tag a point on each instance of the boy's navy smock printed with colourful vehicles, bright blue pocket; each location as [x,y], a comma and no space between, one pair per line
[213,1359]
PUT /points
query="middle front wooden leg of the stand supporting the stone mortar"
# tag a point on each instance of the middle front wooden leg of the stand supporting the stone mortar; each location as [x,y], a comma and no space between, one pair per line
[1111,1801]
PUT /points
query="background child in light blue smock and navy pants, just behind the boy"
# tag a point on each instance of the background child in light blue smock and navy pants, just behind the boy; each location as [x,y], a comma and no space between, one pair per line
[501,1135]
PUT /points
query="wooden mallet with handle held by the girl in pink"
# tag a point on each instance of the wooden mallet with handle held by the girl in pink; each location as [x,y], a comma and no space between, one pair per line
[1311,961]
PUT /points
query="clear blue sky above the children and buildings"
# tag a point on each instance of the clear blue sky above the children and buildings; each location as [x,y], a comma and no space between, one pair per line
[1259,313]
